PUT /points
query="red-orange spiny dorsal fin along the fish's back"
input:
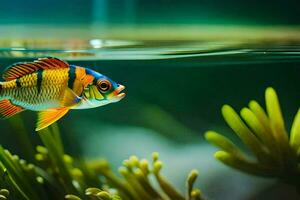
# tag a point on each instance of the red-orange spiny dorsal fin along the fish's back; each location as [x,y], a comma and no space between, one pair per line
[20,69]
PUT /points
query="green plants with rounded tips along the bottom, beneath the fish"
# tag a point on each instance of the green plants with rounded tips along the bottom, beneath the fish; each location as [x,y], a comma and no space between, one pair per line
[53,174]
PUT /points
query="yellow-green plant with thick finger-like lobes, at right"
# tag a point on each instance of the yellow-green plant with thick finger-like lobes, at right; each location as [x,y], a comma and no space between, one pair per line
[274,152]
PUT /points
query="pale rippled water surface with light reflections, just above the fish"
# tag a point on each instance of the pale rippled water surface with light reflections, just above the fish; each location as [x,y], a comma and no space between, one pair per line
[97,49]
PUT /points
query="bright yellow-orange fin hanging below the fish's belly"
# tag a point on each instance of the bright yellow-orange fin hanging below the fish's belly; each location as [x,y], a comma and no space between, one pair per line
[48,117]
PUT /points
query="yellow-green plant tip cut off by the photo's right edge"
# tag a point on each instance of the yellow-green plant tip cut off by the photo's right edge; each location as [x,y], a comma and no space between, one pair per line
[295,133]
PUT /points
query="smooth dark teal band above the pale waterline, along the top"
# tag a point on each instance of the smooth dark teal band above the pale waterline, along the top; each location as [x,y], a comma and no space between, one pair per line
[138,12]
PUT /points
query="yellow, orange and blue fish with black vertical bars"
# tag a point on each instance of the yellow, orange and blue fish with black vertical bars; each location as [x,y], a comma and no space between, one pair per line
[52,87]
